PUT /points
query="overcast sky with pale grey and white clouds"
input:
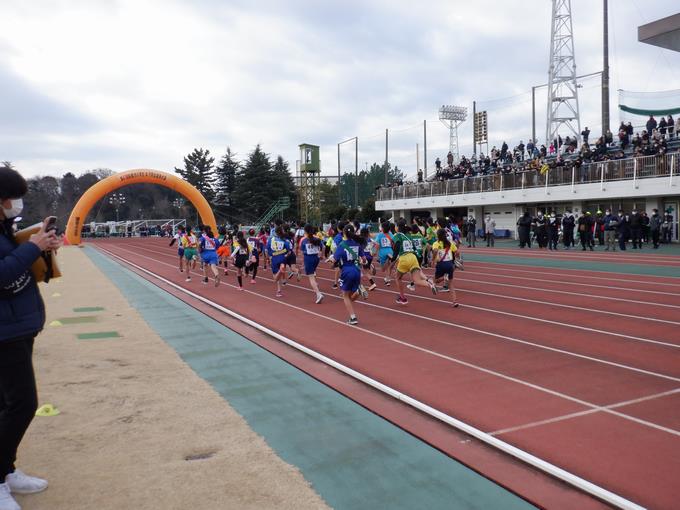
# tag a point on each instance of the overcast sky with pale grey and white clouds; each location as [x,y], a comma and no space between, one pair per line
[135,83]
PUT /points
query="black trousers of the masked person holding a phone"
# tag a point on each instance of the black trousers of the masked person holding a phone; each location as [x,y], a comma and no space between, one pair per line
[18,398]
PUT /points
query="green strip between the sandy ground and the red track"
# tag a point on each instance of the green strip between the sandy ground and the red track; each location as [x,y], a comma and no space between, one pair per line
[353,458]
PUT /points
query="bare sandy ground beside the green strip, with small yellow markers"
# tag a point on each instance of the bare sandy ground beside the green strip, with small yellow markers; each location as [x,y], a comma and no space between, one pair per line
[131,414]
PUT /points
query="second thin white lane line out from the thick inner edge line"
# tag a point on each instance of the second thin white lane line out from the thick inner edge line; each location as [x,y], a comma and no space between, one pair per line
[475,330]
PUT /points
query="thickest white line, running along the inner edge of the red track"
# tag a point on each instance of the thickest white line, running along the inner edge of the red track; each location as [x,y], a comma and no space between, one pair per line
[557,472]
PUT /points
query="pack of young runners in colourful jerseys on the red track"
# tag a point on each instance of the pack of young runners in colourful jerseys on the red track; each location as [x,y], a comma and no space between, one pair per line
[354,254]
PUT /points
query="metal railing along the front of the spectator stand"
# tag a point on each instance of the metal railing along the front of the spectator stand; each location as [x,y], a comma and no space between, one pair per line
[633,169]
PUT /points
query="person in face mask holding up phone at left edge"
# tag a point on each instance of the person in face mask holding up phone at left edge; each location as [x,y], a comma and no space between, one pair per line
[22,316]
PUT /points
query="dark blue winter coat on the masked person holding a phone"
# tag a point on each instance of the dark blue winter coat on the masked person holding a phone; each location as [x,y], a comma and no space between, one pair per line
[22,311]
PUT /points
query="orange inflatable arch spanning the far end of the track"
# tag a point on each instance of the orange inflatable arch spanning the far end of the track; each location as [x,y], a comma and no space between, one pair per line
[119,180]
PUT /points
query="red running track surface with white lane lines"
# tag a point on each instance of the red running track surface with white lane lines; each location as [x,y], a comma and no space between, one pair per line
[585,374]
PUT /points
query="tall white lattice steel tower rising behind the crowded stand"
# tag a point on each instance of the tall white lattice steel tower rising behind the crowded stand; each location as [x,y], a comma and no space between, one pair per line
[563,112]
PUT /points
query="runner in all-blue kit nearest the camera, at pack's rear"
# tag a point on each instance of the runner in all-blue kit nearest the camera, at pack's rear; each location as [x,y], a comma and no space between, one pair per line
[350,255]
